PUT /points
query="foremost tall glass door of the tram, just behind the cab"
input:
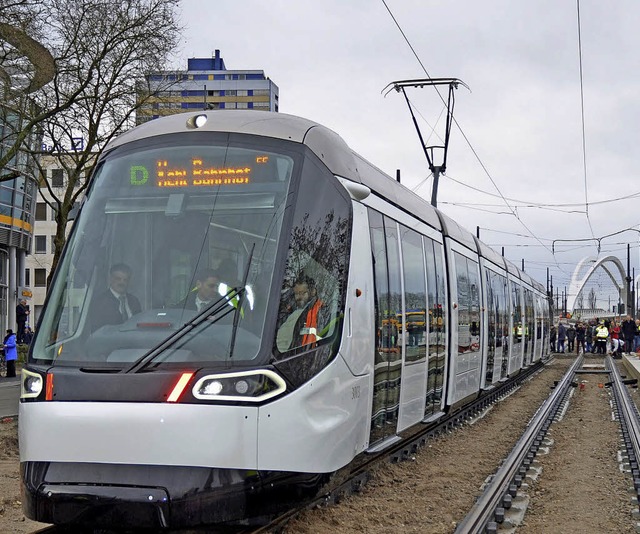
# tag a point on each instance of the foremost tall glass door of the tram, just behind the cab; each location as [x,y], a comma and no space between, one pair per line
[388,301]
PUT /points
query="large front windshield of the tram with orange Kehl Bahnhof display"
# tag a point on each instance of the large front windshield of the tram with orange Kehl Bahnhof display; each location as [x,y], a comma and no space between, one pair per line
[176,238]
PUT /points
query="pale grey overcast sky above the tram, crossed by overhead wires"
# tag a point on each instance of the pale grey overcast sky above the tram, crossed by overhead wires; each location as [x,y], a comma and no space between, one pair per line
[519,131]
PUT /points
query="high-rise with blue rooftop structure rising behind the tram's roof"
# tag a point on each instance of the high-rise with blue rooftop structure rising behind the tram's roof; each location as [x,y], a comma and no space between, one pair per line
[207,84]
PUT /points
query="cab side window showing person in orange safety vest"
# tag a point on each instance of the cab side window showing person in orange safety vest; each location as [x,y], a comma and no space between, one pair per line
[312,295]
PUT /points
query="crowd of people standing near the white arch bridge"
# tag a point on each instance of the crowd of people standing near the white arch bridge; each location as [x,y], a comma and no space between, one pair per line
[598,336]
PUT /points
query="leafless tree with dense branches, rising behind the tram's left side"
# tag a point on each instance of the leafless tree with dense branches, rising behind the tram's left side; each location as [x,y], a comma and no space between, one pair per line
[102,50]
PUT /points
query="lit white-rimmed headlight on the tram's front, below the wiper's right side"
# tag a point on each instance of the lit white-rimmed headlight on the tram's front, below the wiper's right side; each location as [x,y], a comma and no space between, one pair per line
[248,386]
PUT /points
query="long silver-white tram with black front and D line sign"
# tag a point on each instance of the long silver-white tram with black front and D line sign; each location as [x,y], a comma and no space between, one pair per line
[140,409]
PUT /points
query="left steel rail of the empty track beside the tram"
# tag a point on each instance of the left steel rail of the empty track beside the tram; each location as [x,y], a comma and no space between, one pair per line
[503,487]
